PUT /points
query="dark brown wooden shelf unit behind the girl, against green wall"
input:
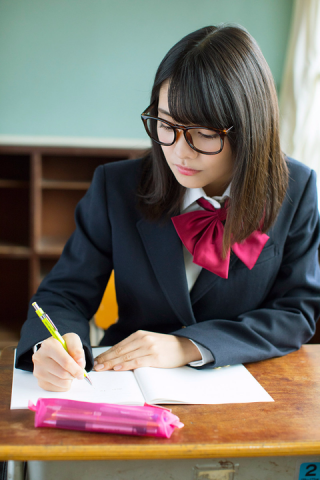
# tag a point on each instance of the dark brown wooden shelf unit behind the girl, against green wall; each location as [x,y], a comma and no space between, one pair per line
[39,189]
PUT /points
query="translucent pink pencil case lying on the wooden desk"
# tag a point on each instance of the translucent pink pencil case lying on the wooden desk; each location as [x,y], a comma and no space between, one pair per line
[144,420]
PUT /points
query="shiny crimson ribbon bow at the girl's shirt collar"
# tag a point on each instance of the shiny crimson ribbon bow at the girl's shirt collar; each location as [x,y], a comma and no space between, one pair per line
[201,232]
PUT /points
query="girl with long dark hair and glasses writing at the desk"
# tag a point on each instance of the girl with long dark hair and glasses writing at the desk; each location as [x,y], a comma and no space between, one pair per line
[212,236]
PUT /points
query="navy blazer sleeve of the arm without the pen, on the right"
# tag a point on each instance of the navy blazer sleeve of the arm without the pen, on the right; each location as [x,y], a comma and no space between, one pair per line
[286,318]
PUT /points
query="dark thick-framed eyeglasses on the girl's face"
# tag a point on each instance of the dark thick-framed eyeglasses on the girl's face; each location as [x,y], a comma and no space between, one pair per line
[205,140]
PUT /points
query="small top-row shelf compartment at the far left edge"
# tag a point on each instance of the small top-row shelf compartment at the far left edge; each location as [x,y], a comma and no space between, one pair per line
[15,167]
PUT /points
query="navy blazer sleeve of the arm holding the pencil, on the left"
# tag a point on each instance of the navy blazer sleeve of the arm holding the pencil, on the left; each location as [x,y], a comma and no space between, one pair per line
[72,291]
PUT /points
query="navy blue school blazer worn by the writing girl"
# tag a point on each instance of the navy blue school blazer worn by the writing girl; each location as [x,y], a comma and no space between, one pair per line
[253,315]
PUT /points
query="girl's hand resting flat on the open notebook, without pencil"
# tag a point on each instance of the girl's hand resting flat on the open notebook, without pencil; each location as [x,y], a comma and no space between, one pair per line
[148,349]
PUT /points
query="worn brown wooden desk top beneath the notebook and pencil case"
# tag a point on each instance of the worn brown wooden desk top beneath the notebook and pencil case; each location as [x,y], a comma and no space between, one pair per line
[288,426]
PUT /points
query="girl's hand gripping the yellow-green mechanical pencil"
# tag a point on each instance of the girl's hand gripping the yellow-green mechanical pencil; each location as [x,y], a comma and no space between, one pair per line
[55,368]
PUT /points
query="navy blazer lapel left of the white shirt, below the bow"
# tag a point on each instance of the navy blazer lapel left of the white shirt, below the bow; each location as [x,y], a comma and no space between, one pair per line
[164,249]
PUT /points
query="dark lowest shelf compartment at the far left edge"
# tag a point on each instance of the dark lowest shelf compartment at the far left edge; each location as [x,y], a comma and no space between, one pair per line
[14,275]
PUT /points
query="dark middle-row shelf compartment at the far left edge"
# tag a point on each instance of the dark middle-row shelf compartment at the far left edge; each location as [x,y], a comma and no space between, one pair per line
[15,217]
